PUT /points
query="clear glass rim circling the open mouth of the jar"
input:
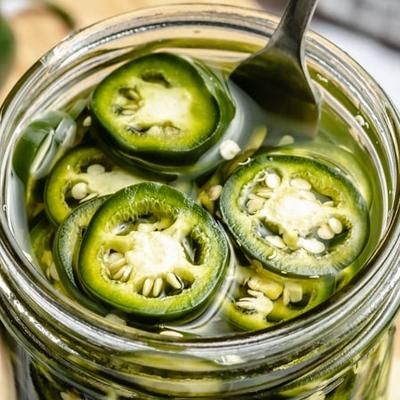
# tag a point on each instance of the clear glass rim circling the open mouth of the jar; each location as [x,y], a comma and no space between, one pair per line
[333,317]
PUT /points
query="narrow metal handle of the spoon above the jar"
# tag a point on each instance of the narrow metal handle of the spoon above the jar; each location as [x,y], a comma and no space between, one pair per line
[296,18]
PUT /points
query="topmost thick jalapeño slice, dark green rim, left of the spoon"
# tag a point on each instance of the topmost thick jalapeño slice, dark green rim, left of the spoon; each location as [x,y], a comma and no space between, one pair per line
[161,106]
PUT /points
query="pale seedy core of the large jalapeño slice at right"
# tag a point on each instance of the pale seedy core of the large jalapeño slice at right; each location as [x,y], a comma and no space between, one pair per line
[292,214]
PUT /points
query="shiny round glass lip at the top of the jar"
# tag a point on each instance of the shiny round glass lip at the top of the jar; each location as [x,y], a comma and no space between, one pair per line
[314,325]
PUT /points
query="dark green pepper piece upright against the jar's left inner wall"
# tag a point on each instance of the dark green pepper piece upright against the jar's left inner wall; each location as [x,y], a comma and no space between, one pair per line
[42,142]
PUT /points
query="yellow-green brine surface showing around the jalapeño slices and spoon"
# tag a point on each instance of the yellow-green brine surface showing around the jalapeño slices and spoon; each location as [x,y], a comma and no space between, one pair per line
[337,145]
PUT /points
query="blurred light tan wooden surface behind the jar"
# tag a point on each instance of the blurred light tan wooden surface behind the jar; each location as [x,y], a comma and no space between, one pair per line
[38,30]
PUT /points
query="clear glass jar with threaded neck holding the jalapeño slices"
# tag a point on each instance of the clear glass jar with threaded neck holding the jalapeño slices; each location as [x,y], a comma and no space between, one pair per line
[341,350]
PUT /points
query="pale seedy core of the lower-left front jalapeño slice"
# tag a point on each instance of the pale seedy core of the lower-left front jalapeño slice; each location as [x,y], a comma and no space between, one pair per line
[155,247]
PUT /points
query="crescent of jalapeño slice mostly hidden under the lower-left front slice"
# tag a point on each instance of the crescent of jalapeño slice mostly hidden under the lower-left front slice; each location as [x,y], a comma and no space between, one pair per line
[66,247]
